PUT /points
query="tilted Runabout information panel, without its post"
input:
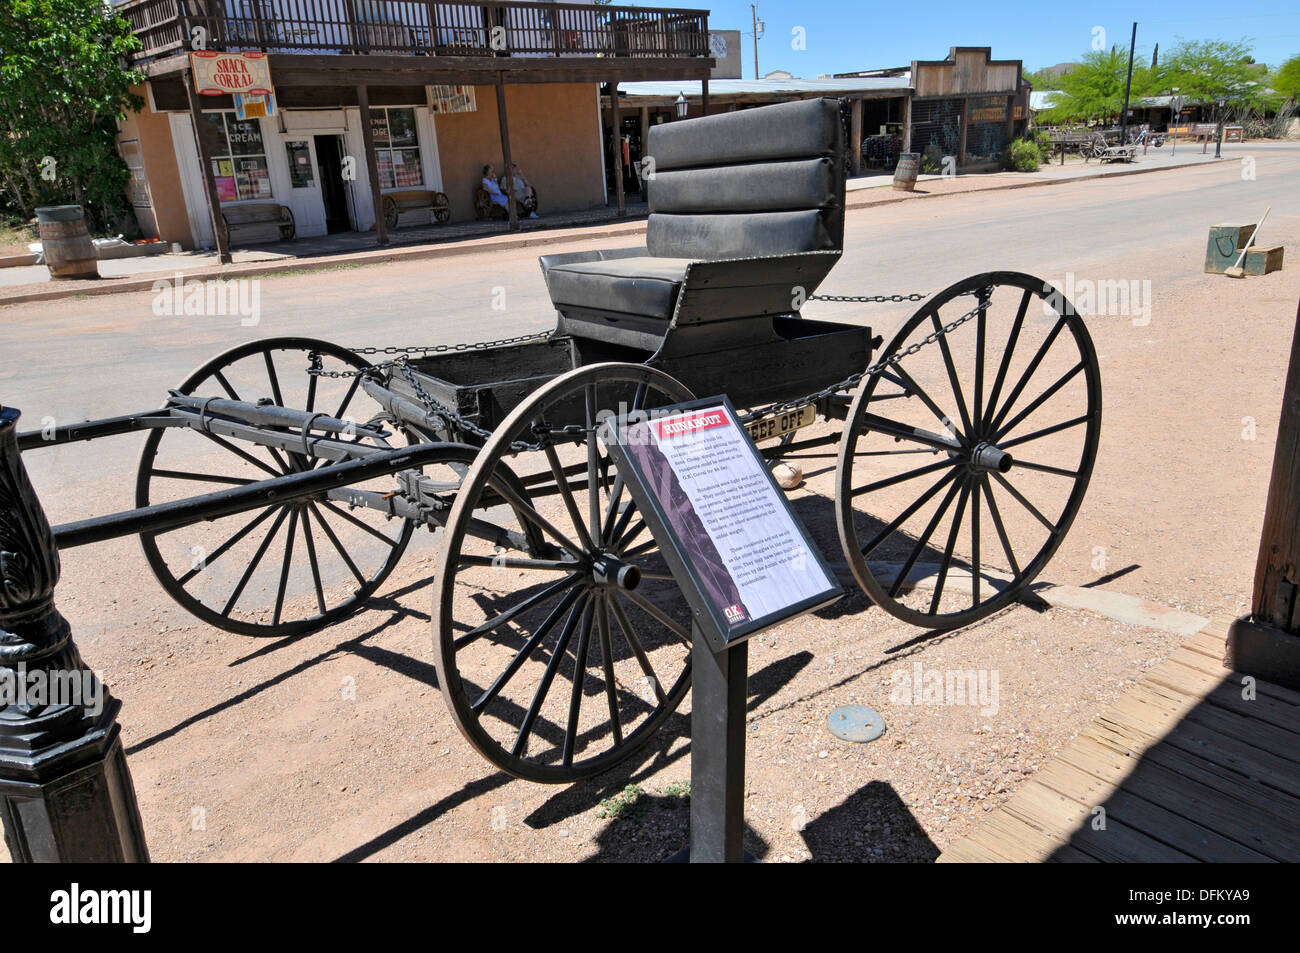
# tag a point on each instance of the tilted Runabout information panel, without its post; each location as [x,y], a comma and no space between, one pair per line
[742,556]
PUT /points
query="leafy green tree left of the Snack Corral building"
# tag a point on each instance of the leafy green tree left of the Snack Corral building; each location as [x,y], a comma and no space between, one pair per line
[66,79]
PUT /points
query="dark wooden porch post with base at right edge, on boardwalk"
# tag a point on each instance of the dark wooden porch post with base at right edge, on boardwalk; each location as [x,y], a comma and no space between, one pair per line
[1268,644]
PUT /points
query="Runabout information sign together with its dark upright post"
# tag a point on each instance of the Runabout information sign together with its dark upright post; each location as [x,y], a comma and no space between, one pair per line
[743,561]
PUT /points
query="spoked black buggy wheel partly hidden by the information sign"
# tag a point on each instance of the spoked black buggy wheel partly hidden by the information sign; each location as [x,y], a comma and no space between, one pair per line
[560,662]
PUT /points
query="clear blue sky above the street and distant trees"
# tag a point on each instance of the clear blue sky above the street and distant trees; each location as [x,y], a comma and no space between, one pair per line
[846,36]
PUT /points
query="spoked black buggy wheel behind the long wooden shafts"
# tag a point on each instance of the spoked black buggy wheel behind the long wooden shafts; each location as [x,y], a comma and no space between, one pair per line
[291,568]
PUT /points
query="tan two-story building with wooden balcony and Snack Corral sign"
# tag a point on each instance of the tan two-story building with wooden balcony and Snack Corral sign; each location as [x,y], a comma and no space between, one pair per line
[378,97]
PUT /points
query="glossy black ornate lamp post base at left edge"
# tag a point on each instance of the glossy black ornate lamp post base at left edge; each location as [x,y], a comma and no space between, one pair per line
[66,791]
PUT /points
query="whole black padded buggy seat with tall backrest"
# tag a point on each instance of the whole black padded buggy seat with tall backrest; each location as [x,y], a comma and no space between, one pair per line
[747,219]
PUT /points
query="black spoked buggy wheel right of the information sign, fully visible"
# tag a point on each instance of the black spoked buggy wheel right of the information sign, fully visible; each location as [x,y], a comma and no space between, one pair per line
[963,467]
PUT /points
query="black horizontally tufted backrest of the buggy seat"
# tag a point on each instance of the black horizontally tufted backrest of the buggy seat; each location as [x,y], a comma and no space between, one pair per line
[752,184]
